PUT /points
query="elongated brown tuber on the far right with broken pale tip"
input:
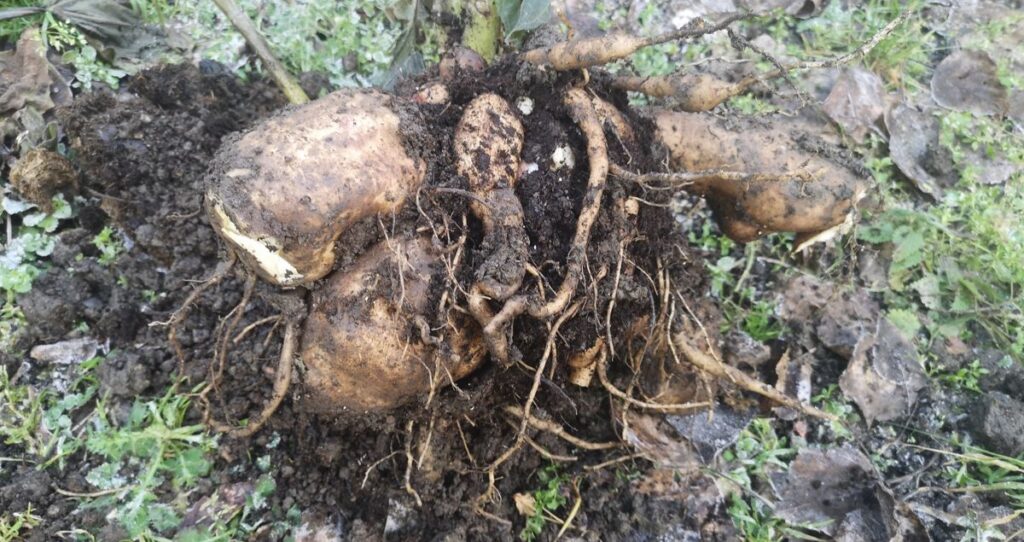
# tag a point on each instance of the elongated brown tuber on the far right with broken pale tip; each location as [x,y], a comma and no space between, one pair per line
[809,193]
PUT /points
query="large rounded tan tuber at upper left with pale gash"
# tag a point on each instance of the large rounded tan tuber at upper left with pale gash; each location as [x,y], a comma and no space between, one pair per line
[283,193]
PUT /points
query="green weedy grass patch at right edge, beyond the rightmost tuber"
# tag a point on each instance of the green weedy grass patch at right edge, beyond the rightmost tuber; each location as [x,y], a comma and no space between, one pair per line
[958,264]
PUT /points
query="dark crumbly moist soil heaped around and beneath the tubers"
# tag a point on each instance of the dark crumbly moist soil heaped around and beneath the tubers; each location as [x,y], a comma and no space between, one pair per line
[144,153]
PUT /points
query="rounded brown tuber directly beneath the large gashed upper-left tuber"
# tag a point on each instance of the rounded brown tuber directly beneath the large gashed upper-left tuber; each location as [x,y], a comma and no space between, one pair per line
[361,346]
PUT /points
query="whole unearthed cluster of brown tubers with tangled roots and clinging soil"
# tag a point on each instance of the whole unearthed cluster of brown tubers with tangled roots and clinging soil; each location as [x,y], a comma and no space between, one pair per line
[448,270]
